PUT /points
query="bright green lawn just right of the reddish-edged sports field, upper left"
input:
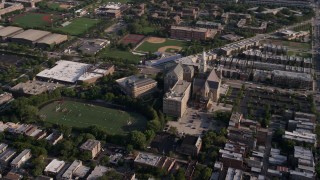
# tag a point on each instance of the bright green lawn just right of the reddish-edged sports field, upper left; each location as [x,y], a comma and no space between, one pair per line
[78,26]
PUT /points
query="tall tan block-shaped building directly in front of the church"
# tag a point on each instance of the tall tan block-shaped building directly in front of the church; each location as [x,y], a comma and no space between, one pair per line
[175,101]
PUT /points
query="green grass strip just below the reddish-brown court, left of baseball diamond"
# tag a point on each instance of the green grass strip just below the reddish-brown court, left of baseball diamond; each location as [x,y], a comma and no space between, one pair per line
[116,53]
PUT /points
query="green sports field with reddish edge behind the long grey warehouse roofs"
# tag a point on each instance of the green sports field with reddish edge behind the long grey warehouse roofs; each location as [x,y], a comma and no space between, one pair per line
[31,20]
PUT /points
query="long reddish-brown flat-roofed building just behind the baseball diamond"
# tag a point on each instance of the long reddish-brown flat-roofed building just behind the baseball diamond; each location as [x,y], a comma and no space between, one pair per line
[188,33]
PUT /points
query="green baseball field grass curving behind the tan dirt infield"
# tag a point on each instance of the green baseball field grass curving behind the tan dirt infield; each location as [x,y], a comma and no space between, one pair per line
[153,47]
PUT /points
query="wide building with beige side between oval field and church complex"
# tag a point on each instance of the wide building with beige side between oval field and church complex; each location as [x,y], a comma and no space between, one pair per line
[135,86]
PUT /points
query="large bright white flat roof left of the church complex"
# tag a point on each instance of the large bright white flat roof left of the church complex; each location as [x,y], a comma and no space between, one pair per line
[66,71]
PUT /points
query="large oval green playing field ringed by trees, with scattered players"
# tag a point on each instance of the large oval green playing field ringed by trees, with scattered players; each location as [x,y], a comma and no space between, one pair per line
[77,114]
